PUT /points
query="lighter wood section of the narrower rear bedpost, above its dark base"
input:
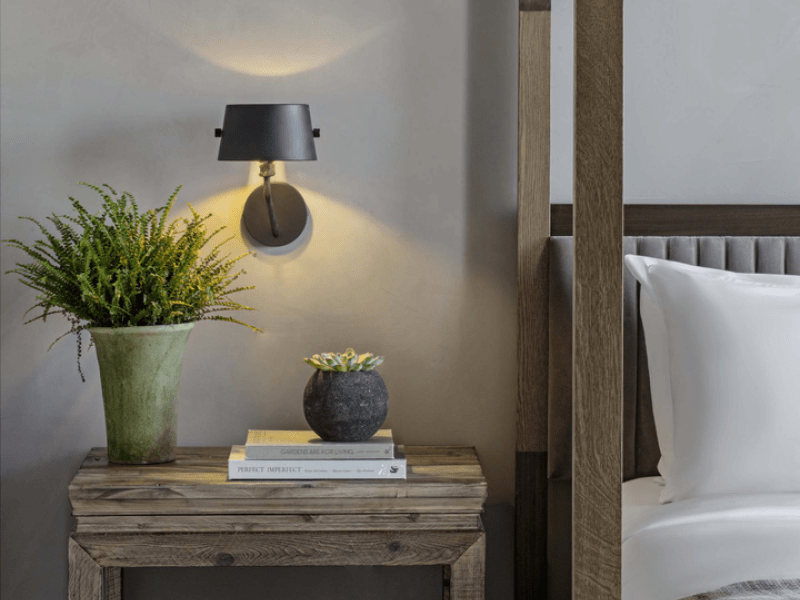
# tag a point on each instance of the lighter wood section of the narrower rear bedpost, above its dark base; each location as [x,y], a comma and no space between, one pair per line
[533,229]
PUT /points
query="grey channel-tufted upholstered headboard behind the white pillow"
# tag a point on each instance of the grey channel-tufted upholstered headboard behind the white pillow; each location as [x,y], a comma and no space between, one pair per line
[640,447]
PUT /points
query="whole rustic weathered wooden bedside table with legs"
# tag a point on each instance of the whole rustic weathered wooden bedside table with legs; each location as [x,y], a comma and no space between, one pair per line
[187,514]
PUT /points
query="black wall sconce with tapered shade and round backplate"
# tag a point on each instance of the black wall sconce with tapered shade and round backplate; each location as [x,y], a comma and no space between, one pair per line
[274,214]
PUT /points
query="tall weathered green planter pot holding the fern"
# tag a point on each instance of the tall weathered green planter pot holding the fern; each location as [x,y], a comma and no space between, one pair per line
[140,373]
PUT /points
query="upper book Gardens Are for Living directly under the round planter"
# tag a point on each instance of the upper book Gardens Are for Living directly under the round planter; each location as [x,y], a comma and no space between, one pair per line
[279,445]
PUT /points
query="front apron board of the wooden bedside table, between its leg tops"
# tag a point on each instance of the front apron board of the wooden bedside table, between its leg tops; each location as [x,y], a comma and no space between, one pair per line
[278,549]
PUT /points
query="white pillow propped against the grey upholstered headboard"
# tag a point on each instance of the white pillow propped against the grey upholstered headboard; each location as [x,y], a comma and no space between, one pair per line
[733,358]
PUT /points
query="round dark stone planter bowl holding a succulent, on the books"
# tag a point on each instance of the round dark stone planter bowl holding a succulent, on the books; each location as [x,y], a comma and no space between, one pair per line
[346,406]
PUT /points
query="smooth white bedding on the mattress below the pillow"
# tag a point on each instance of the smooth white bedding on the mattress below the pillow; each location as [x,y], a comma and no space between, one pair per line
[671,551]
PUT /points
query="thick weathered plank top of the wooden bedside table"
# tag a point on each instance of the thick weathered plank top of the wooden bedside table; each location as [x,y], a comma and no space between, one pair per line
[440,479]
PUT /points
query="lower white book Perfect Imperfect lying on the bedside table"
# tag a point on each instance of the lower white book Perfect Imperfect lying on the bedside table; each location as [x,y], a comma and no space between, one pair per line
[240,467]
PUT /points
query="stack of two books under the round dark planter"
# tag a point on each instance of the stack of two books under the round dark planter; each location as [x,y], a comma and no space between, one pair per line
[302,455]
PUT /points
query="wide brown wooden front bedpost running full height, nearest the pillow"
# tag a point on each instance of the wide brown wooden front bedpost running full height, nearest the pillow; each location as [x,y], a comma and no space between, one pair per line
[597,321]
